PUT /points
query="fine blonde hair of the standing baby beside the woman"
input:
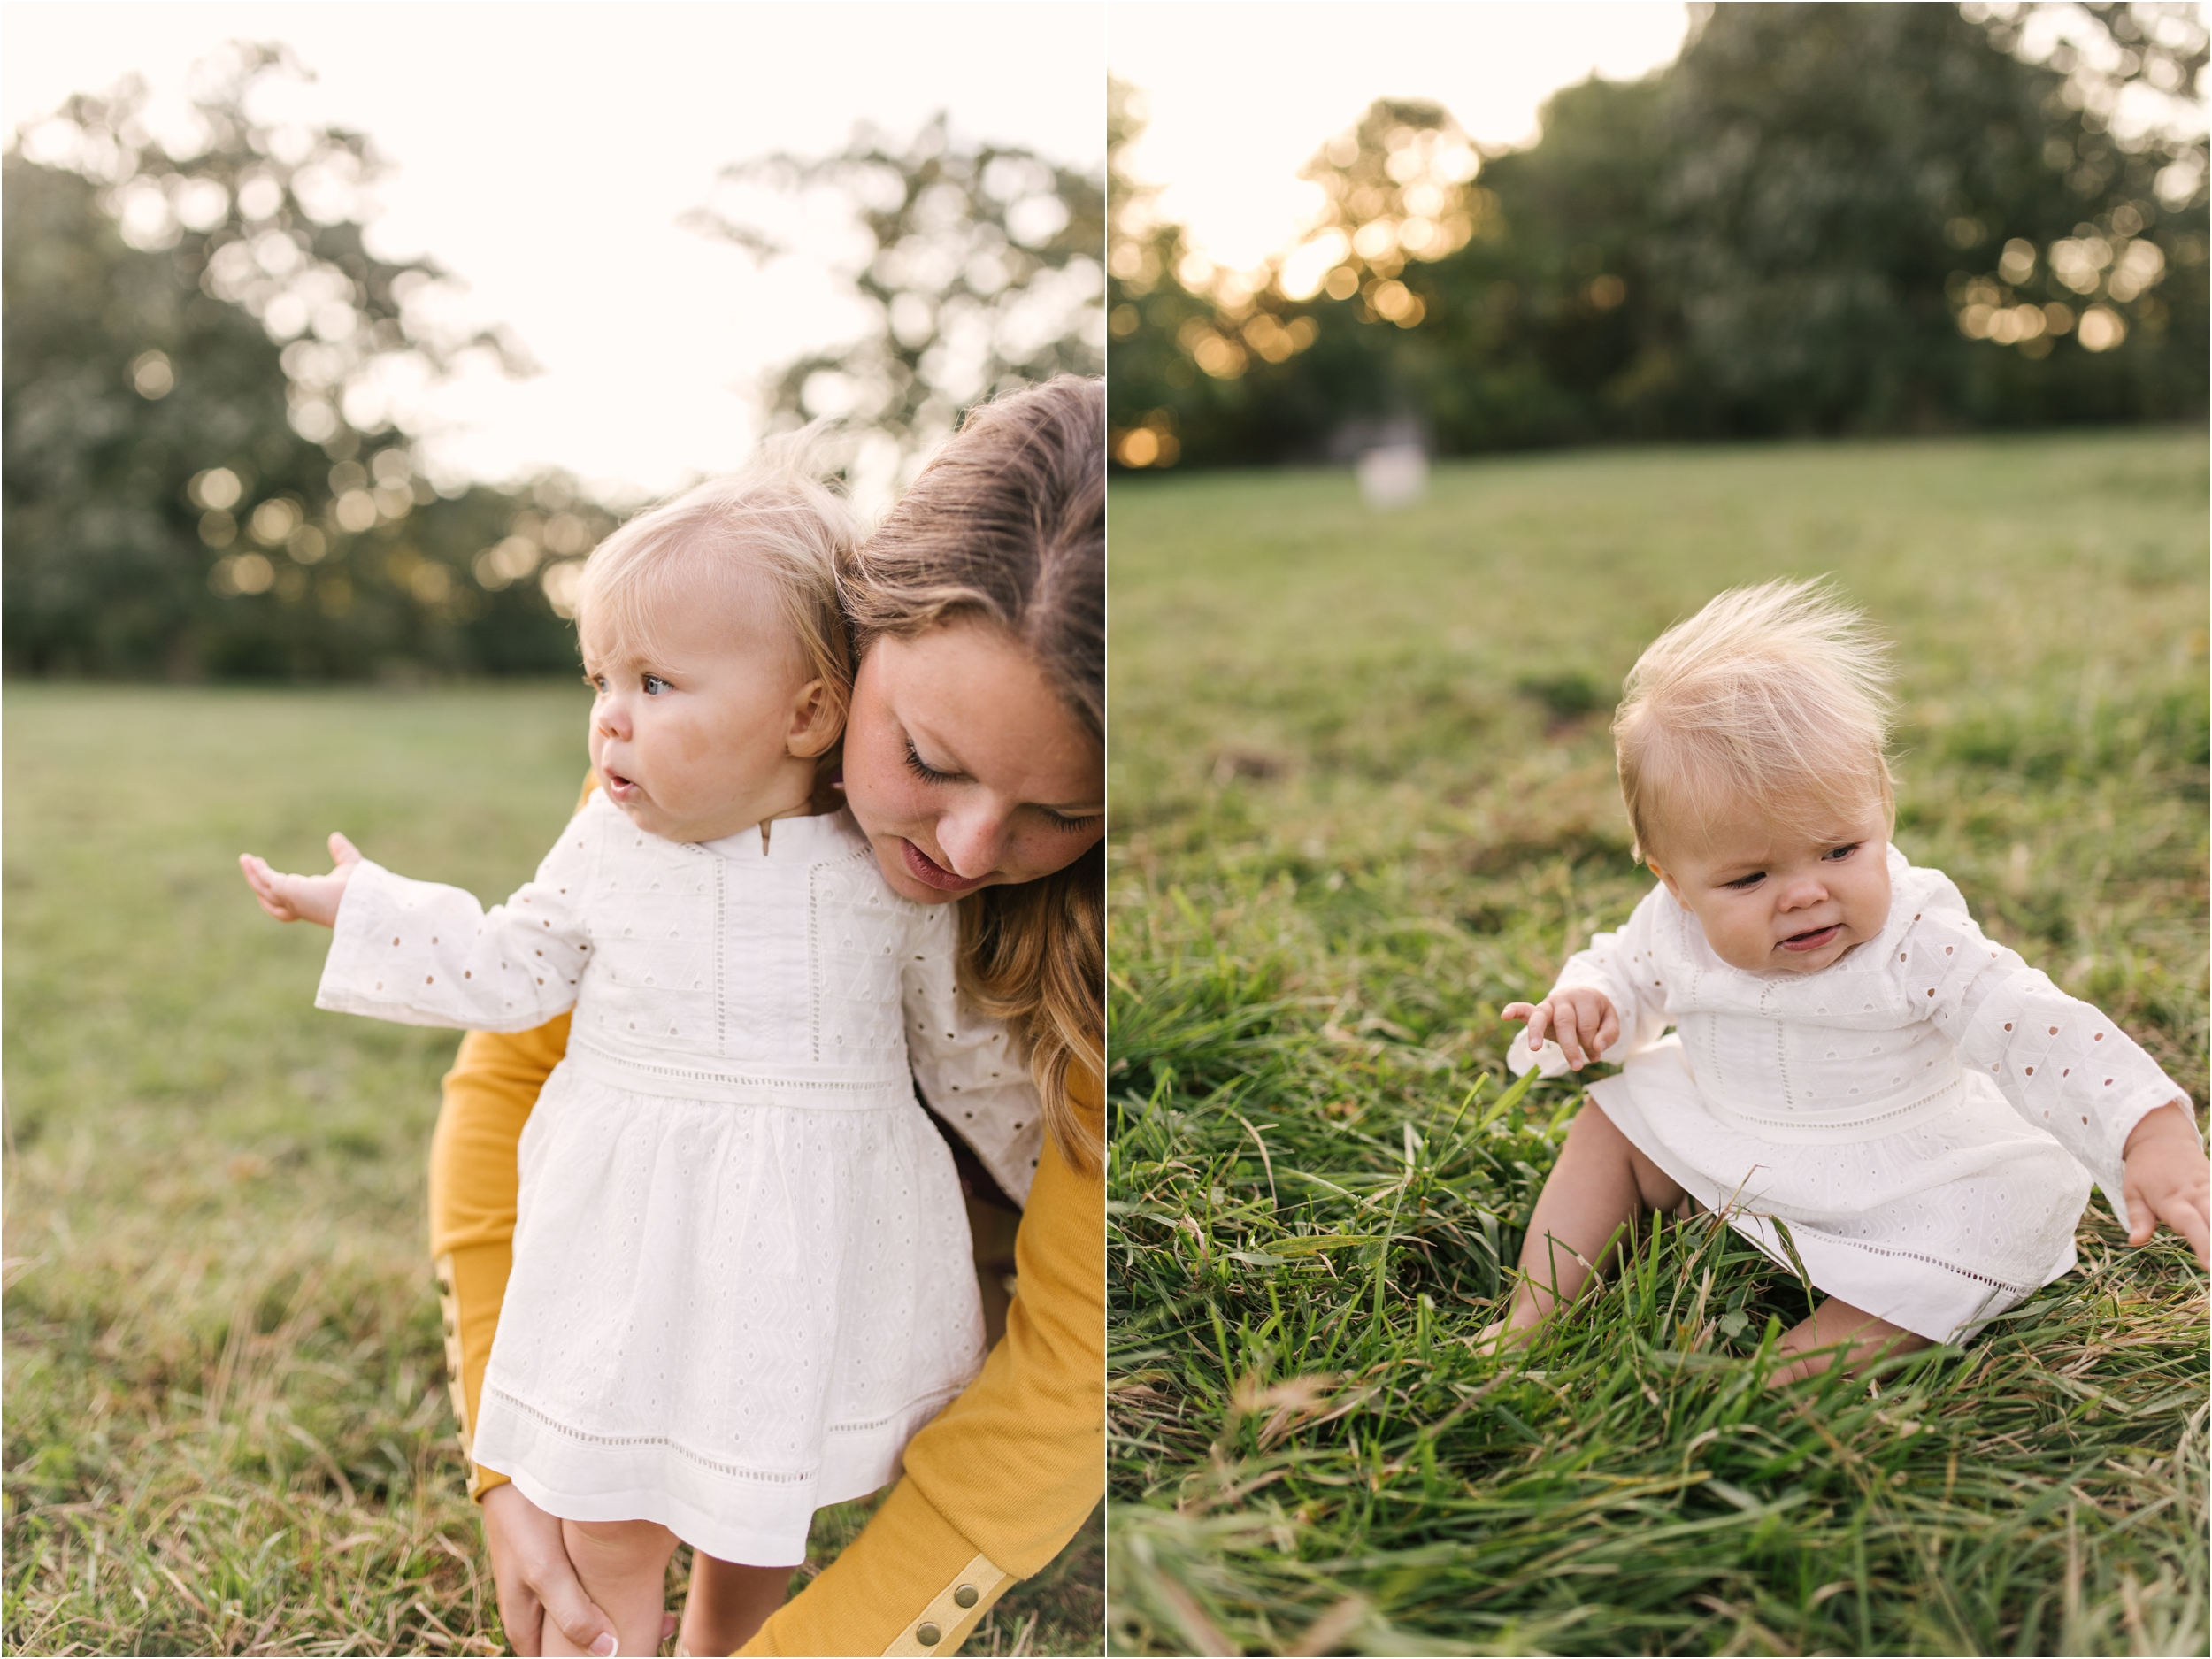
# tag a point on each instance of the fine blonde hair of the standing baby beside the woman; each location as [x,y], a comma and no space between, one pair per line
[775,519]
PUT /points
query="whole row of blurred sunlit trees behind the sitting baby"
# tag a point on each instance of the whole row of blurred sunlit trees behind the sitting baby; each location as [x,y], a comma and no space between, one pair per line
[1819,220]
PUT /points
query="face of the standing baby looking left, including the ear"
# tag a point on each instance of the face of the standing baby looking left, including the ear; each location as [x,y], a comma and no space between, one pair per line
[711,731]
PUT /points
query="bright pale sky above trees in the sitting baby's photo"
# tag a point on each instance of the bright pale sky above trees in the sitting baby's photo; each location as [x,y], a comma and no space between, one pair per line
[1242,94]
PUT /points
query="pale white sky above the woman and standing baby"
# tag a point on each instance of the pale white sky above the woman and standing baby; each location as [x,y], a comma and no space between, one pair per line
[545,152]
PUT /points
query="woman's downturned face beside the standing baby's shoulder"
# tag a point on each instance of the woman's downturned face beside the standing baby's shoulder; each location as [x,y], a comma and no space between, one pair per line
[966,769]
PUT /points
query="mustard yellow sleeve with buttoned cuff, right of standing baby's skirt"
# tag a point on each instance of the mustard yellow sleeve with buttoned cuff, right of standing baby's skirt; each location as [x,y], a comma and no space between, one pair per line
[1005,1477]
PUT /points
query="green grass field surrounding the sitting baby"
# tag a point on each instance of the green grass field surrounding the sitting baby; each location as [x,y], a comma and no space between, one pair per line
[1361,800]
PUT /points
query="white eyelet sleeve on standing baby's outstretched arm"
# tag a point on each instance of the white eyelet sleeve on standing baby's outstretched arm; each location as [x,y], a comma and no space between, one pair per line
[421,954]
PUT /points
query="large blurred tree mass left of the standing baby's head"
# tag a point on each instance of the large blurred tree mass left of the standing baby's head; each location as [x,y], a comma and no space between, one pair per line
[202,461]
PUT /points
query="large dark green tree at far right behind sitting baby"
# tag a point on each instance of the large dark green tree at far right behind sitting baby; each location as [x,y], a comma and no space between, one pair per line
[1857,194]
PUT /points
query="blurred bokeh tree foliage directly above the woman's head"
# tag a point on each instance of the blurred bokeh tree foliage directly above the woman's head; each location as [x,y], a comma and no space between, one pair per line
[979,271]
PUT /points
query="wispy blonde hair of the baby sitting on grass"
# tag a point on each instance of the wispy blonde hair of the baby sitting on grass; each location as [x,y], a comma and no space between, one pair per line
[1773,698]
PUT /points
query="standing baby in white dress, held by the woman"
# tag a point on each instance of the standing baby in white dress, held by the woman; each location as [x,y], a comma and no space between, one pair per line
[742,1264]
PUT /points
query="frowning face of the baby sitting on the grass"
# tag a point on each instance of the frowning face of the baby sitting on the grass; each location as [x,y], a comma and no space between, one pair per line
[1786,901]
